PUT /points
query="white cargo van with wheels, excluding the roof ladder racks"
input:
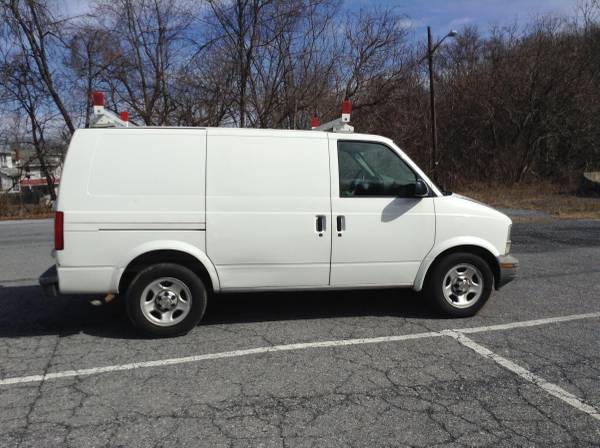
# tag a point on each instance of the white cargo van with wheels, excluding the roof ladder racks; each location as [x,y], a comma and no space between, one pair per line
[168,217]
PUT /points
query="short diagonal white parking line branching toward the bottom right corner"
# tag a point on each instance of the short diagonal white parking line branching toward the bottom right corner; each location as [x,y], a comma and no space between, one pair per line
[551,388]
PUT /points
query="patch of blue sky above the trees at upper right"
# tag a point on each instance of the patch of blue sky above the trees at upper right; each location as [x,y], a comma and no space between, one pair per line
[444,15]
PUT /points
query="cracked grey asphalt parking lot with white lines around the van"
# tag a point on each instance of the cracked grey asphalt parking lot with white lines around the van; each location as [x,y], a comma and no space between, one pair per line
[362,368]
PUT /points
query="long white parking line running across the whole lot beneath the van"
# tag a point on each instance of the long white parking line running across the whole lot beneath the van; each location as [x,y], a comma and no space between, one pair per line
[287,347]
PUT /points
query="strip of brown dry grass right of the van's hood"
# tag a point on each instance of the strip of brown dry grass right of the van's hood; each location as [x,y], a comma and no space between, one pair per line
[556,201]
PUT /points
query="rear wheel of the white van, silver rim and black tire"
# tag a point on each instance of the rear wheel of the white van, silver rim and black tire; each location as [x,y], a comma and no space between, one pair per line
[166,299]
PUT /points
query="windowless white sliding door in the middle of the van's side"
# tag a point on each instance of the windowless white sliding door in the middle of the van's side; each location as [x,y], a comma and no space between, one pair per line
[264,193]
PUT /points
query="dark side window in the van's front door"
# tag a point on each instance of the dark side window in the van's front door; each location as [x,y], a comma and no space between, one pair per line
[373,169]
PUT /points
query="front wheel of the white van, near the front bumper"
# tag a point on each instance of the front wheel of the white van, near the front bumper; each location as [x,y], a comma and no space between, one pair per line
[441,276]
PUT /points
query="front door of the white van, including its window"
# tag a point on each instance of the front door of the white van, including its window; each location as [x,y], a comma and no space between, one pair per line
[381,231]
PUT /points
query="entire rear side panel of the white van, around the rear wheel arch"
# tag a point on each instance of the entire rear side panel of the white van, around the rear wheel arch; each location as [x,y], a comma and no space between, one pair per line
[122,189]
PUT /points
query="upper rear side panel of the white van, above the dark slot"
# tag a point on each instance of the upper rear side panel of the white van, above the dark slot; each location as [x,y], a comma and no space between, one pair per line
[155,175]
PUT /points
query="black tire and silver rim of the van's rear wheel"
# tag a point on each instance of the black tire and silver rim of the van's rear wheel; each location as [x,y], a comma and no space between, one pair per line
[195,304]
